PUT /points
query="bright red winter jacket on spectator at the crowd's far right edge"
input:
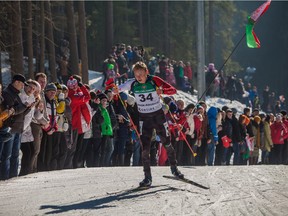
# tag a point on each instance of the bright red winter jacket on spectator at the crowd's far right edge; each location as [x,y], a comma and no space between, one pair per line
[278,133]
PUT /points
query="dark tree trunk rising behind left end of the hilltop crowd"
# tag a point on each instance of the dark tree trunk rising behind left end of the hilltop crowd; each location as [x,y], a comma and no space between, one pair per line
[109,26]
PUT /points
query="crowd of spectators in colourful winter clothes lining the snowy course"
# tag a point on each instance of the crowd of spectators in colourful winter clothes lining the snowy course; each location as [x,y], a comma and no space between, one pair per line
[68,125]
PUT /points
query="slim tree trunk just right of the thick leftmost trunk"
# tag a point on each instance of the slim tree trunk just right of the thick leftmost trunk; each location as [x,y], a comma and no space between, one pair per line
[30,40]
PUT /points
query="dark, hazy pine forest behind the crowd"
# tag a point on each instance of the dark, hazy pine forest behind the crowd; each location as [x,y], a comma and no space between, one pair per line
[34,30]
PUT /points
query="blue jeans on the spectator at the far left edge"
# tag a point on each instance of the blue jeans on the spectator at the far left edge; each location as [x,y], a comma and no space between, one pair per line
[10,157]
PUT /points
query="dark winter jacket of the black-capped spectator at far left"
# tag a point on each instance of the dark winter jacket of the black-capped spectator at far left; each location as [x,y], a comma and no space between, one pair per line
[12,100]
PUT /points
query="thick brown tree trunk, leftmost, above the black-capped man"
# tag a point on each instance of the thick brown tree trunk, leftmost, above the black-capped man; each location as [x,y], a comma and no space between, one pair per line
[17,51]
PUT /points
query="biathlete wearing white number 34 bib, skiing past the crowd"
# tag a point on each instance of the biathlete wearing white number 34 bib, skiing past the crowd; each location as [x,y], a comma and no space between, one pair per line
[147,90]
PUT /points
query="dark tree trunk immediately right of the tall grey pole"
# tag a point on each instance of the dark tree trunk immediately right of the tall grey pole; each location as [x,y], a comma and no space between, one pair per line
[211,46]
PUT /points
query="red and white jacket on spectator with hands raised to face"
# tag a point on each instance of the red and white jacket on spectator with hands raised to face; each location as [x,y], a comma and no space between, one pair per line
[80,109]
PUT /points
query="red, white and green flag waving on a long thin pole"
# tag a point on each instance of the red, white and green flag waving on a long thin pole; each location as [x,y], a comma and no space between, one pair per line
[252,40]
